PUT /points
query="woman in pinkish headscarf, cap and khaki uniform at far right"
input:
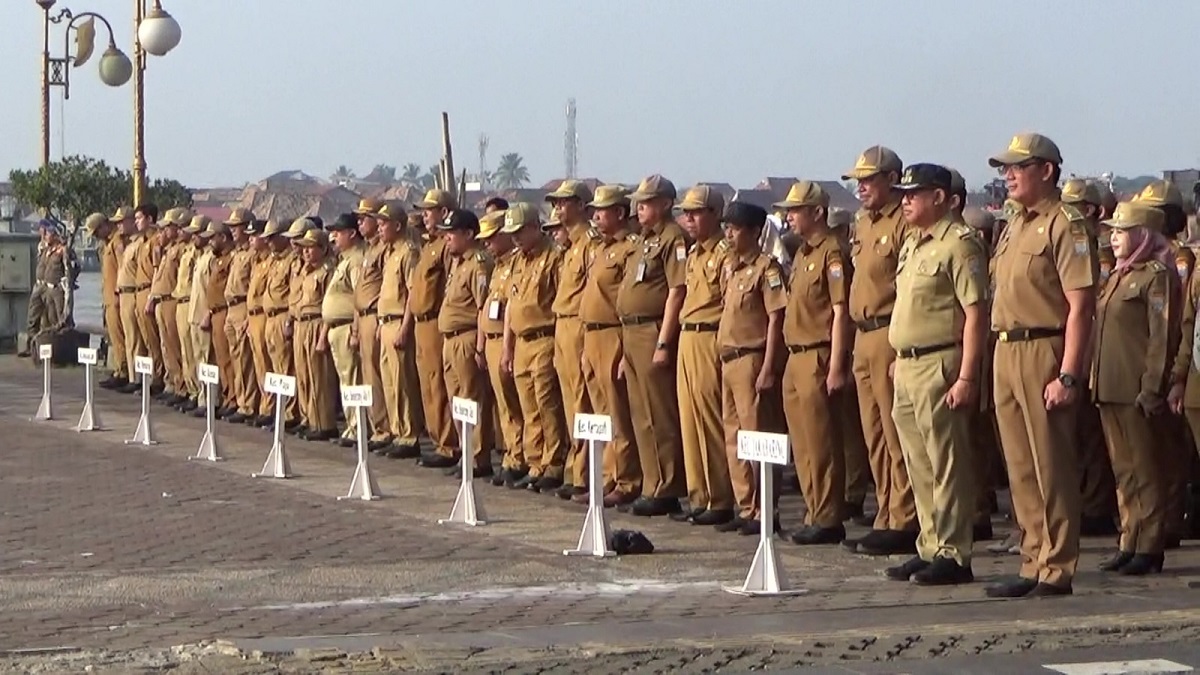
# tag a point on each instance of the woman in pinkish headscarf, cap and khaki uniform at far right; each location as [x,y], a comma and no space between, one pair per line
[1136,315]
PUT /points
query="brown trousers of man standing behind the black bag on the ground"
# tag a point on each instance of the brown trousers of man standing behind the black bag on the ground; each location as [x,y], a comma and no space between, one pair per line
[655,410]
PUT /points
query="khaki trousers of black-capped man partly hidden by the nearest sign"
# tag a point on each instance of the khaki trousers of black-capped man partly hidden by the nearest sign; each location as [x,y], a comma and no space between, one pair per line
[745,408]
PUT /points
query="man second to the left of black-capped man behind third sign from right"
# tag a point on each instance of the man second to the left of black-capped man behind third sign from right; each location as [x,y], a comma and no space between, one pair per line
[398,359]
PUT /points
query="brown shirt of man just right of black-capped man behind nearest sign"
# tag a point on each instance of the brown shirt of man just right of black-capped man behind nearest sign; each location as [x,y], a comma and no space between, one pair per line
[818,284]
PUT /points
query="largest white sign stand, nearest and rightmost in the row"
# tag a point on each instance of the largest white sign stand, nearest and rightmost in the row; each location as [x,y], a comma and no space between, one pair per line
[766,577]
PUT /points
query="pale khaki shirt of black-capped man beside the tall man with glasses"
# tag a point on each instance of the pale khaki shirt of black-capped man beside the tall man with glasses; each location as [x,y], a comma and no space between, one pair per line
[940,272]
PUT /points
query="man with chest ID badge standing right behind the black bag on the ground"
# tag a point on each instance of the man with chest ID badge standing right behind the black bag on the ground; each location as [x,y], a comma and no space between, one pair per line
[651,296]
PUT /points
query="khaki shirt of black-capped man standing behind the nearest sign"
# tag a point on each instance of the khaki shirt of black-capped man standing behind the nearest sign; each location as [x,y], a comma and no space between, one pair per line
[754,290]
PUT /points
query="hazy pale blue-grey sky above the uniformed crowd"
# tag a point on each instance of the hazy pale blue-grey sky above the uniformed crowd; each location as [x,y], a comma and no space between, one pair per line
[698,91]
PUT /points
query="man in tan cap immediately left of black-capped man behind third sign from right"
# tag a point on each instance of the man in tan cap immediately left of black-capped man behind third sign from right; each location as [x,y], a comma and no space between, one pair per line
[425,302]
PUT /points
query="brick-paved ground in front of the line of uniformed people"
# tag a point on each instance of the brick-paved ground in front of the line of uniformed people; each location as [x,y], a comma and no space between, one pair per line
[111,555]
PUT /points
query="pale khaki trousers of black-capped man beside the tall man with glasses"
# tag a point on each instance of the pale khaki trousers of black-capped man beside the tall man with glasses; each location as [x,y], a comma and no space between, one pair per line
[938,453]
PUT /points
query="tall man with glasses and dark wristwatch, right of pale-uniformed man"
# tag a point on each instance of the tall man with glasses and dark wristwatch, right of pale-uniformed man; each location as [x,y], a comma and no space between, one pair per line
[1045,274]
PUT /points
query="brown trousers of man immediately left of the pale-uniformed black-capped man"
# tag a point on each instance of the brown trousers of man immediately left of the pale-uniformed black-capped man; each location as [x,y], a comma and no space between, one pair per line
[873,359]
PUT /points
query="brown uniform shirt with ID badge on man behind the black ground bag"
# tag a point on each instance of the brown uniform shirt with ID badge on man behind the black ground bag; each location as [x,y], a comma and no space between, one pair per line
[655,270]
